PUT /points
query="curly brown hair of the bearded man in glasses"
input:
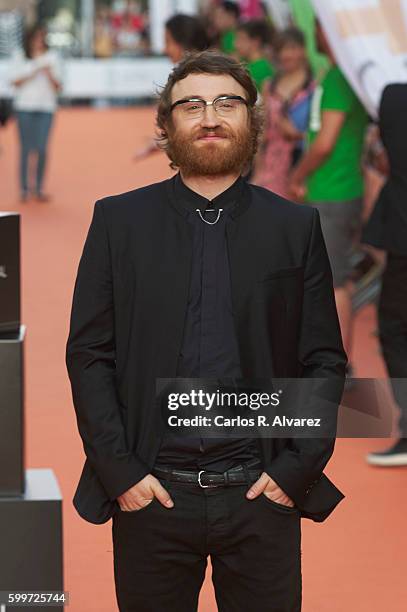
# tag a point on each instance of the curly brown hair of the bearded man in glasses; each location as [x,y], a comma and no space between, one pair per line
[208,62]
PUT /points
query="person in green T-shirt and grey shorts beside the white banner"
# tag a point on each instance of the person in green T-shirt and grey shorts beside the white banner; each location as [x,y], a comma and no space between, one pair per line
[330,177]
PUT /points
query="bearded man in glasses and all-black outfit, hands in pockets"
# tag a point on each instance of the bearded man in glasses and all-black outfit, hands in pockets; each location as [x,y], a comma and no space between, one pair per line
[201,276]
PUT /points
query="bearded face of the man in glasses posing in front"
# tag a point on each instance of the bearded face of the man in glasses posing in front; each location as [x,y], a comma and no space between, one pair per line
[209,144]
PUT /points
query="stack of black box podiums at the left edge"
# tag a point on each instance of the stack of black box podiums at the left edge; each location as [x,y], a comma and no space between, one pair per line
[30,499]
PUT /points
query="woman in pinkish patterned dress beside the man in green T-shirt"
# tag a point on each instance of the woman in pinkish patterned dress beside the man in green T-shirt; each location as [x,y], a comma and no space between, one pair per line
[287,101]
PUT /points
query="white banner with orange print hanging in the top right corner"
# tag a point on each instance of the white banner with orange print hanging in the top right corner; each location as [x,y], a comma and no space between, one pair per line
[369,41]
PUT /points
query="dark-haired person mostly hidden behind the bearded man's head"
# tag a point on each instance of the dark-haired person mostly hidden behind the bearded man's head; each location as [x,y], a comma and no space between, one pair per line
[183,33]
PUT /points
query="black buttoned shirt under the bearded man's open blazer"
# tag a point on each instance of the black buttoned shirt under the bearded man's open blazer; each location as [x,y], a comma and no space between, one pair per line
[209,347]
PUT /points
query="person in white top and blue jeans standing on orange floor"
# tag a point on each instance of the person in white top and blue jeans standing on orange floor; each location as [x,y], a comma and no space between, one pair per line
[35,73]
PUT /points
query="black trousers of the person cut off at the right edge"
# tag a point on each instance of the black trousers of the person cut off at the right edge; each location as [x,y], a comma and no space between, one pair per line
[392,315]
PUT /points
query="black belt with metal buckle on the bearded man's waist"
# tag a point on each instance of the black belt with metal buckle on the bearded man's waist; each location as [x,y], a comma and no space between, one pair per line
[205,478]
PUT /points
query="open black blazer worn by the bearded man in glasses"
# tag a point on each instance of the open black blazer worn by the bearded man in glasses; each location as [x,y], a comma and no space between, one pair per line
[126,328]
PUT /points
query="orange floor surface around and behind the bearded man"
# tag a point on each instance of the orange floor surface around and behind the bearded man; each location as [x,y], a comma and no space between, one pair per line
[353,562]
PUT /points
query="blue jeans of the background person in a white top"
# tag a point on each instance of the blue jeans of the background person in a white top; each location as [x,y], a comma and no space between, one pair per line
[34,128]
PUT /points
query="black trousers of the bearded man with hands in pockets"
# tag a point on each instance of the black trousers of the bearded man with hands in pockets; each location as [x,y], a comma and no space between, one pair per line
[160,554]
